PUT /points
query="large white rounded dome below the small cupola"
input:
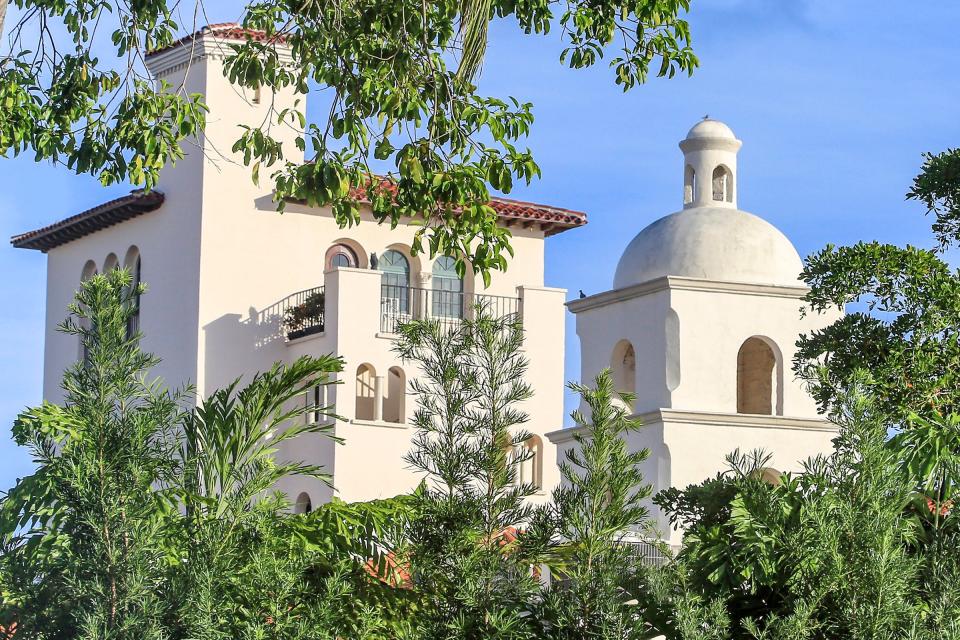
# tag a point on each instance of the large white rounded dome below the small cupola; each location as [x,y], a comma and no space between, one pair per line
[714,243]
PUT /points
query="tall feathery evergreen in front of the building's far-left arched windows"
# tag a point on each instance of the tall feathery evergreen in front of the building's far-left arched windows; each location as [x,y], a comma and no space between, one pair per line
[83,546]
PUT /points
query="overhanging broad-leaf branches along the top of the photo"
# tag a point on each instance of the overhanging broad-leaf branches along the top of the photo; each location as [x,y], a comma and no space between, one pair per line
[397,78]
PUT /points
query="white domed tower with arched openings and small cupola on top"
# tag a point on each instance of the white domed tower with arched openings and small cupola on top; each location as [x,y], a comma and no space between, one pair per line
[701,324]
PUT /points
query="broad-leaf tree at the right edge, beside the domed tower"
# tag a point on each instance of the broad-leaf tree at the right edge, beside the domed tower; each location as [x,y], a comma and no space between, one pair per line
[907,338]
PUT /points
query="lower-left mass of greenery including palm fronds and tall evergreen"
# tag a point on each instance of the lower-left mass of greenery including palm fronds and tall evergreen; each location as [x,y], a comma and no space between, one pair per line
[148,517]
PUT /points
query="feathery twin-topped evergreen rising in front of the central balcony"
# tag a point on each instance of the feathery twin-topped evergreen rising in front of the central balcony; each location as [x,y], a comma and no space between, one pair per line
[469,554]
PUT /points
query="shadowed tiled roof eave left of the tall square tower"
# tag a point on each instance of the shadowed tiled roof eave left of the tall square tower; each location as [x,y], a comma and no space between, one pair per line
[100,217]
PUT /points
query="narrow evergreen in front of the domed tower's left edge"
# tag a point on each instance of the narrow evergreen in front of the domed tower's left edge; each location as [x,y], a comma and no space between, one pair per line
[599,506]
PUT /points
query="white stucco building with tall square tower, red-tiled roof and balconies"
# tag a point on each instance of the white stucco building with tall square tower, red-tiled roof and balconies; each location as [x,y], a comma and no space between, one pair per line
[224,270]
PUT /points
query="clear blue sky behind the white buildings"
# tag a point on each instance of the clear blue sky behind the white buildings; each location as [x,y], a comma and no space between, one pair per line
[835,103]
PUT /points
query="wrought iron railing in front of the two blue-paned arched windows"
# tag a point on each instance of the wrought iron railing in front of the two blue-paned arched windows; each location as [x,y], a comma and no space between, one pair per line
[399,304]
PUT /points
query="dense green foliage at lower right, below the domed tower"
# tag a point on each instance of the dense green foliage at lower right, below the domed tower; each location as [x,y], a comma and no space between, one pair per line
[831,553]
